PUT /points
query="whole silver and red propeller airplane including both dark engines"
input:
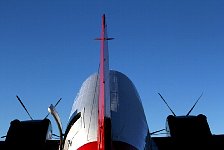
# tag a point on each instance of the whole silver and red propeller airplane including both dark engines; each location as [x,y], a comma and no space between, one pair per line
[107,114]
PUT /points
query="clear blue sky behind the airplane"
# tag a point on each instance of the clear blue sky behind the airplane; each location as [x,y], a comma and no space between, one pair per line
[174,47]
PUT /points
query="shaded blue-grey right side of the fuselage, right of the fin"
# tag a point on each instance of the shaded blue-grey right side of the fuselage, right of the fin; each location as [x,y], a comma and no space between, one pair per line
[129,123]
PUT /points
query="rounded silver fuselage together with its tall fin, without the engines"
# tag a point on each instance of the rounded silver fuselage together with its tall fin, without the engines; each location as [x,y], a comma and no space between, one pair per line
[112,116]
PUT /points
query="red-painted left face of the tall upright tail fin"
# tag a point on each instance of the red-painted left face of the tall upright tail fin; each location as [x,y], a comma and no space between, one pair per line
[101,102]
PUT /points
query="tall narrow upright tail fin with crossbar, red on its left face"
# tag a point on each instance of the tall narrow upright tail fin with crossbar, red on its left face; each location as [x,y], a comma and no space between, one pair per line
[104,122]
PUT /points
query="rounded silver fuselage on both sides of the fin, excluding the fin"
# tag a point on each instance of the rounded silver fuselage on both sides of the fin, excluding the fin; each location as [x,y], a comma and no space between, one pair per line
[129,126]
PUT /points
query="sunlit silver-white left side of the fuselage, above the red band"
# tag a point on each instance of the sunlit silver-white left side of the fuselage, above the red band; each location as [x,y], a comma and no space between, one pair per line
[84,130]
